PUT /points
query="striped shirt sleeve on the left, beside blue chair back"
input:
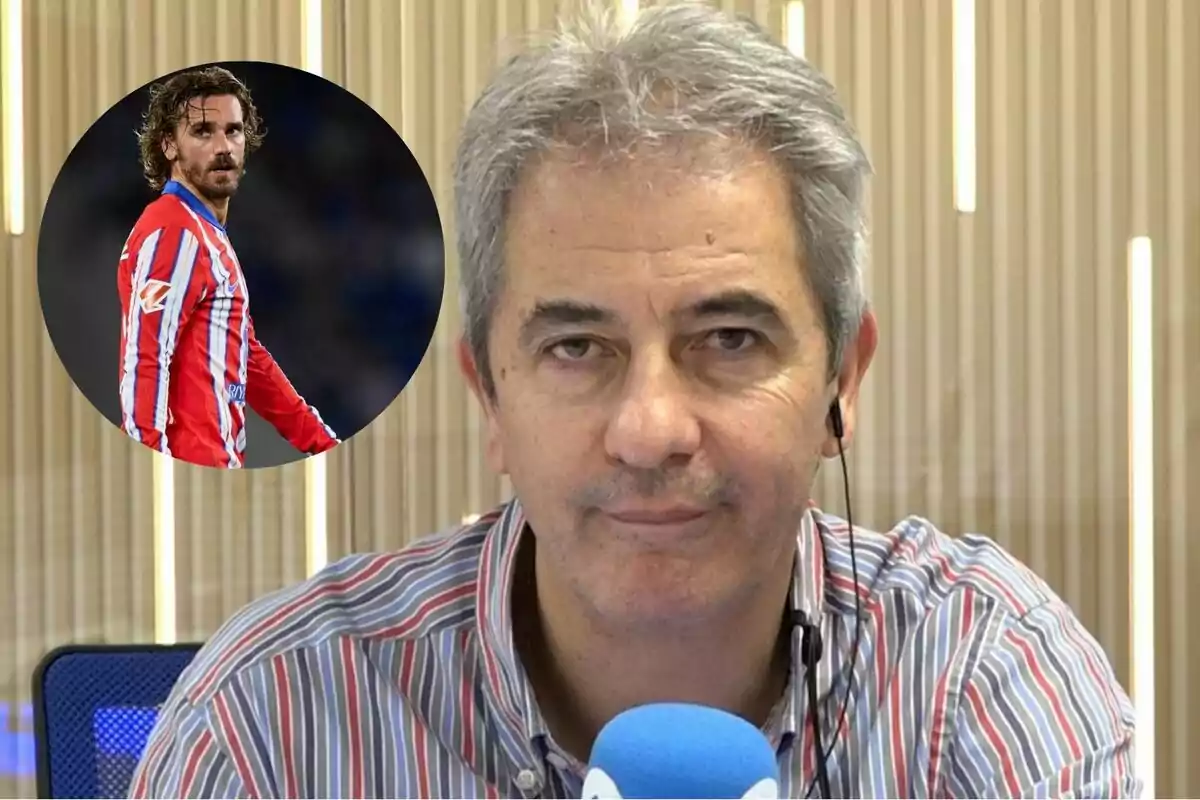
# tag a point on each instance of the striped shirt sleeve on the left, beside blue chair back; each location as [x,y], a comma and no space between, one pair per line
[184,759]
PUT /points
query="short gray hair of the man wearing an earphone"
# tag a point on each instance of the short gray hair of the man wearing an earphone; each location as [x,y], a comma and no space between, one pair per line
[727,80]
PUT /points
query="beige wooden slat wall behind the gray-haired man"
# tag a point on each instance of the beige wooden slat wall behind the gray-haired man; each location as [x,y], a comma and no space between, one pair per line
[998,401]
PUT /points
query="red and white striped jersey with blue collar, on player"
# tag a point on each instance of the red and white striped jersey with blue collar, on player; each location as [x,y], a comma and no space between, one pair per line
[190,358]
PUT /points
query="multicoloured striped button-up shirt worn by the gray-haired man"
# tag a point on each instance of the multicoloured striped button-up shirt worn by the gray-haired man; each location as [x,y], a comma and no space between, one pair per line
[395,676]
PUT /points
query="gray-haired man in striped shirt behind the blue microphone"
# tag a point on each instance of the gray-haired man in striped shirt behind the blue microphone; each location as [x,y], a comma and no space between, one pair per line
[662,243]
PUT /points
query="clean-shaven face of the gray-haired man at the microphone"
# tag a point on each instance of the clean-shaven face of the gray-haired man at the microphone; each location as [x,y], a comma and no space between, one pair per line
[662,382]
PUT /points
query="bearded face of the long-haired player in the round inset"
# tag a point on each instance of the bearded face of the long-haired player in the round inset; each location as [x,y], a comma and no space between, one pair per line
[209,146]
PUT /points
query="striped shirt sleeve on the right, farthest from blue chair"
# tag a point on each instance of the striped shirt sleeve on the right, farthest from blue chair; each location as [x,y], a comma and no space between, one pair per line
[1042,715]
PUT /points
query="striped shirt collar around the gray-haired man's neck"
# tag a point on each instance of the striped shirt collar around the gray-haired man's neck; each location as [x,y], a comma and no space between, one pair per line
[508,688]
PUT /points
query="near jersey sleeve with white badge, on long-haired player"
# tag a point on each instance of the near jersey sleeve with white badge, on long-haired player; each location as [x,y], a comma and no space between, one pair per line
[164,279]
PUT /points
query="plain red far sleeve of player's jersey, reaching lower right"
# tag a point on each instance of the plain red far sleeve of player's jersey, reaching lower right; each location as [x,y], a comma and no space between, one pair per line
[272,395]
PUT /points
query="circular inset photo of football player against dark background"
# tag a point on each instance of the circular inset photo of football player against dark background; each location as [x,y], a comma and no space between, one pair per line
[241,264]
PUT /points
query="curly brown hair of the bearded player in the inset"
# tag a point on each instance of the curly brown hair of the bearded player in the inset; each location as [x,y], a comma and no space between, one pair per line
[169,103]
